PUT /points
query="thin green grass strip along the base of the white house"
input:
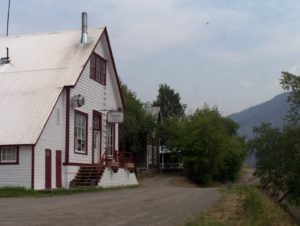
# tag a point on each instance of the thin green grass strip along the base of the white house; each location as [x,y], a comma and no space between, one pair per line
[8,192]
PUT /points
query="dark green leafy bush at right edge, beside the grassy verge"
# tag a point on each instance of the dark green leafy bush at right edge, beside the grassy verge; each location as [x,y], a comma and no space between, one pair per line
[277,160]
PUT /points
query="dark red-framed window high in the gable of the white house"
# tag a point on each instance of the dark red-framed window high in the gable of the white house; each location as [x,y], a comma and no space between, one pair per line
[98,69]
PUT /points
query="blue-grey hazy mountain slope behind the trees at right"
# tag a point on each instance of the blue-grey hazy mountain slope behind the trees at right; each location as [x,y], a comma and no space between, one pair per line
[272,111]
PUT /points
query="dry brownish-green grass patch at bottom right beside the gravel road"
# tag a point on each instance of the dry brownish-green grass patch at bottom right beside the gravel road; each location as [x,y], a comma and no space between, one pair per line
[243,206]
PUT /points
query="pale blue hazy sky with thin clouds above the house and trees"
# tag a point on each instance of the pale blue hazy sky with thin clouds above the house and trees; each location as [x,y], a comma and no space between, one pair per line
[228,53]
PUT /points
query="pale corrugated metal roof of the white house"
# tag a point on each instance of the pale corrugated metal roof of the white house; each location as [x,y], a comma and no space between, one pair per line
[41,65]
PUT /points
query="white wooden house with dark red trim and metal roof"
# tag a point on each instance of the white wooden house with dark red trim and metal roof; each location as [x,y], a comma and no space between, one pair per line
[56,90]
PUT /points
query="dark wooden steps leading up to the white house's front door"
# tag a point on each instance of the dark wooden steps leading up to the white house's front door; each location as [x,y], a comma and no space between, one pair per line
[88,176]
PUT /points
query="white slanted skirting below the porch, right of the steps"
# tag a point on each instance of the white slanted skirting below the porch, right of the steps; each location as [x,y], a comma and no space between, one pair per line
[122,178]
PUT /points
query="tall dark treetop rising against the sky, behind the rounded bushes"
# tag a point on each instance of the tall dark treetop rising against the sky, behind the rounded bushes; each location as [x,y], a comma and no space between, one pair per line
[169,102]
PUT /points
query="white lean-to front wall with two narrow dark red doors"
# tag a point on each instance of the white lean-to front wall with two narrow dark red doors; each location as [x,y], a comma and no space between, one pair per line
[53,138]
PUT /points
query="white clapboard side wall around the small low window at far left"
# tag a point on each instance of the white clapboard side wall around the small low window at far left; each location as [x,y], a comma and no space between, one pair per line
[18,175]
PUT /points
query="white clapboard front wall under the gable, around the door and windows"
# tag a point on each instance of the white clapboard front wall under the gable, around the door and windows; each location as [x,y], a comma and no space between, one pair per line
[97,97]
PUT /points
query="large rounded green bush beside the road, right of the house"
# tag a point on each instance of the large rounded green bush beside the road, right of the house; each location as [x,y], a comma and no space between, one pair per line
[210,147]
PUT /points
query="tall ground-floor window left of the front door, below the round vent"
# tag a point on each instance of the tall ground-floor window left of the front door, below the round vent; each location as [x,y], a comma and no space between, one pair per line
[80,131]
